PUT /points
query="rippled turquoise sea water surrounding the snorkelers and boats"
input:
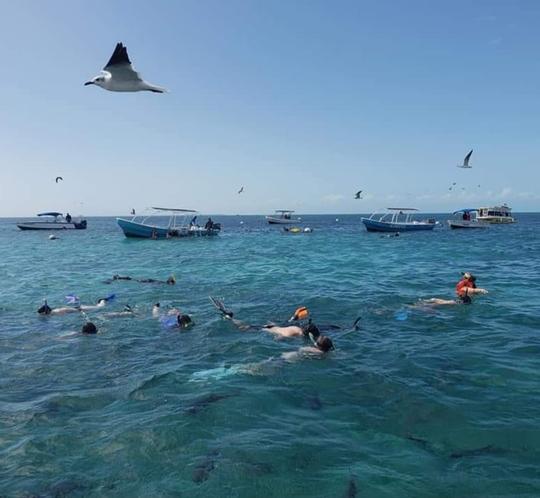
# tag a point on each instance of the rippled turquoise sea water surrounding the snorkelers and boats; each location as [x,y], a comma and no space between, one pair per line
[443,403]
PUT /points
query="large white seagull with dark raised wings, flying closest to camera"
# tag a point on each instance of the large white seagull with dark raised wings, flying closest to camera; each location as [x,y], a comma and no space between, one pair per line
[119,76]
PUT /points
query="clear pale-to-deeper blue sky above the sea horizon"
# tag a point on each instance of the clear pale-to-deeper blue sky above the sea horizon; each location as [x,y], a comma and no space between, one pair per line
[301,102]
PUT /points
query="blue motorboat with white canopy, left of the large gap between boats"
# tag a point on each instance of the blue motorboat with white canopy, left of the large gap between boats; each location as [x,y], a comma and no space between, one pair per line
[181,223]
